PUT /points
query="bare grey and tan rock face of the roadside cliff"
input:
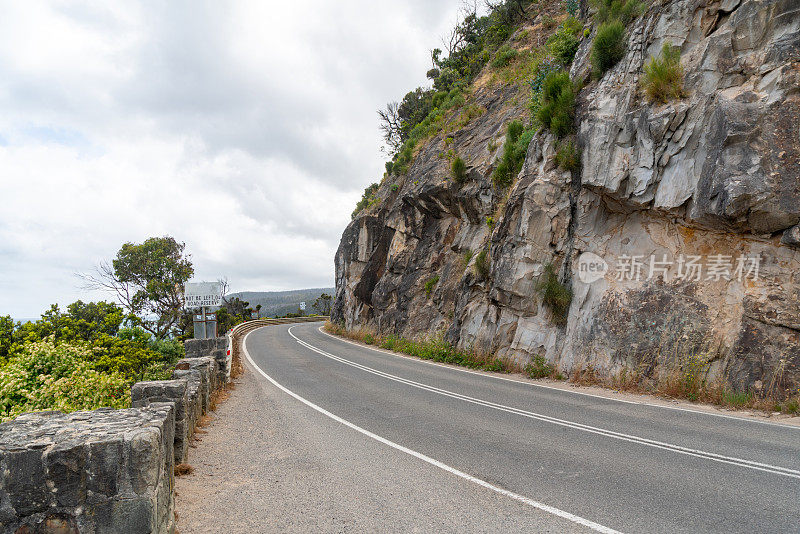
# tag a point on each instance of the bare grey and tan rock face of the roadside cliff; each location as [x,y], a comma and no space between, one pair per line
[712,178]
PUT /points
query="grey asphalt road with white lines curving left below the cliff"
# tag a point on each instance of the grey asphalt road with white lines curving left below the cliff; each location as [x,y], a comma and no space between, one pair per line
[441,448]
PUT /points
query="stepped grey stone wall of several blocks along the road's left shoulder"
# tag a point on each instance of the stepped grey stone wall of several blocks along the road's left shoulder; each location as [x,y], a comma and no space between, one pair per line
[108,470]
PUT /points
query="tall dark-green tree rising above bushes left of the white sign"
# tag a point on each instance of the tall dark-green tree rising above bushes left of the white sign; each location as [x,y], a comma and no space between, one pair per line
[148,281]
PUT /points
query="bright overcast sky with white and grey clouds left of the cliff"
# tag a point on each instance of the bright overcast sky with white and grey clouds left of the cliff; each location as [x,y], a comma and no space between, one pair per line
[246,129]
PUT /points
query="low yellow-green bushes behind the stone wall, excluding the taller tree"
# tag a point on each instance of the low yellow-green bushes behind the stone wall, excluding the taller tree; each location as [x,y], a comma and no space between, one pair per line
[79,359]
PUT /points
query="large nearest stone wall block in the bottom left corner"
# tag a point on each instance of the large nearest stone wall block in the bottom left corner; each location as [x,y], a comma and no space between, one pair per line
[102,471]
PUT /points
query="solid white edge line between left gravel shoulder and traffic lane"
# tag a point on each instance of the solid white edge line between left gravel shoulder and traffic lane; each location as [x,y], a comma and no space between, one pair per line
[436,463]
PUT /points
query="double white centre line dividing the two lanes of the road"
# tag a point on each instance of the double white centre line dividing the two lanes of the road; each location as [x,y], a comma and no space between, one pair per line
[758,466]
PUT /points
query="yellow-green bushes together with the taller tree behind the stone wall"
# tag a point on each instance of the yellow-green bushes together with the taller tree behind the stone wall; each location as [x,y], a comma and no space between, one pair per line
[88,355]
